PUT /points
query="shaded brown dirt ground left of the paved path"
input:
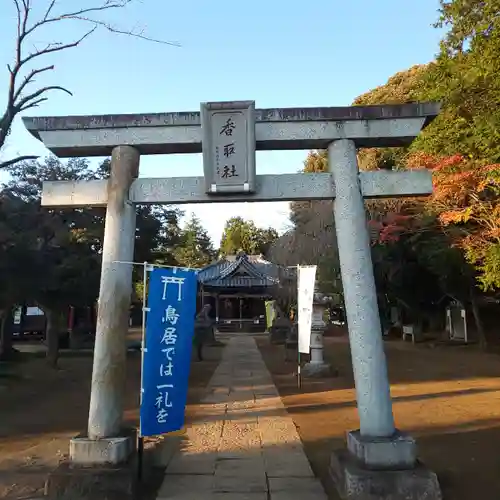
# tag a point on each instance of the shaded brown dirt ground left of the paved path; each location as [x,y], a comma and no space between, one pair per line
[41,409]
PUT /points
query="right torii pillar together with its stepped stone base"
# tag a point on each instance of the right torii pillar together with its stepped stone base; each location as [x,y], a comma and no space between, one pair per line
[379,457]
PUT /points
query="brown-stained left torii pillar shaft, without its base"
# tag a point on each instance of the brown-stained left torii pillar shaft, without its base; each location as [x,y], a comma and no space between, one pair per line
[108,374]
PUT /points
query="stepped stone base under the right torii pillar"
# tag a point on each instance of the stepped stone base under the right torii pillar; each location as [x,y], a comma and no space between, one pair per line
[378,469]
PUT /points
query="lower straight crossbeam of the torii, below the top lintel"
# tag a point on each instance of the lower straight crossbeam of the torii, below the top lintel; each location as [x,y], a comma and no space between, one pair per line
[269,188]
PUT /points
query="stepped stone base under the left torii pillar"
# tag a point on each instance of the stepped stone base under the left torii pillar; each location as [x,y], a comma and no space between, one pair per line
[97,469]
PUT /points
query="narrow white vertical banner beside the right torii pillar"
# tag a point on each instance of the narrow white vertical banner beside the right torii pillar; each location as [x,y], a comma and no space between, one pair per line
[305,293]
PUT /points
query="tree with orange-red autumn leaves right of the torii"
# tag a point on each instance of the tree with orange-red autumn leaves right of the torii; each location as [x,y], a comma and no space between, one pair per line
[447,243]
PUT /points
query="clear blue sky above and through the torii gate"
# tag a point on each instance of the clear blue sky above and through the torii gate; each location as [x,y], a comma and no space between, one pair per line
[276,52]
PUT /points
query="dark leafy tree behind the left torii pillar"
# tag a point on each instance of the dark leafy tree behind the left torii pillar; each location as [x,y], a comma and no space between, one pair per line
[56,253]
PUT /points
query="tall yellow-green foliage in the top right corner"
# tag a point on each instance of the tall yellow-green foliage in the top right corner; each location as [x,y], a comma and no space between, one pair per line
[466,79]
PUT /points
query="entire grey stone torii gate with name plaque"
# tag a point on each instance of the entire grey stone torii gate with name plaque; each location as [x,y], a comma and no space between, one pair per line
[230,133]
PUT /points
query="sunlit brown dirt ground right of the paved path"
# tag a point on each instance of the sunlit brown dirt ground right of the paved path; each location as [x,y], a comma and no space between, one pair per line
[447,397]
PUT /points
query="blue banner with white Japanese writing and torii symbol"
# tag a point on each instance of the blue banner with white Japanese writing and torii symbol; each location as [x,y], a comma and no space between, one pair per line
[167,354]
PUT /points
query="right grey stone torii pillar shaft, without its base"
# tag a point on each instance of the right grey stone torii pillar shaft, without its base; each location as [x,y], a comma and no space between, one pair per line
[365,335]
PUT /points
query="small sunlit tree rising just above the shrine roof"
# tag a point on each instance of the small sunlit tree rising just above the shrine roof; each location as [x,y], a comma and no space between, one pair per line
[240,235]
